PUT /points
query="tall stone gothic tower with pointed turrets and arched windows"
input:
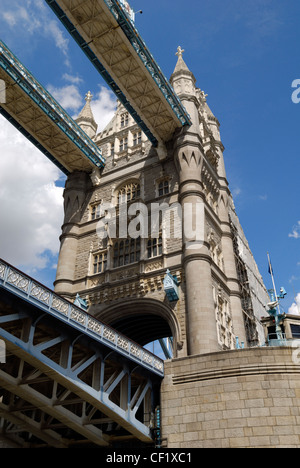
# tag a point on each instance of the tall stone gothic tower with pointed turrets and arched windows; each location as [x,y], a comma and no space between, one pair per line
[182,194]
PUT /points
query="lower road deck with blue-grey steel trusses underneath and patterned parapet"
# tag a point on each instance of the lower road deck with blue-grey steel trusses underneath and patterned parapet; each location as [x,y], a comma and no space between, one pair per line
[68,379]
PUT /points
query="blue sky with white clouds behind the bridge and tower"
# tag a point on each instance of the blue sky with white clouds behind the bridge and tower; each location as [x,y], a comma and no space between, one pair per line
[244,56]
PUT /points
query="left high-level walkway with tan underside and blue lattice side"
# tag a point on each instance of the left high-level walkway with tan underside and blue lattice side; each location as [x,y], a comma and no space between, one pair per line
[36,114]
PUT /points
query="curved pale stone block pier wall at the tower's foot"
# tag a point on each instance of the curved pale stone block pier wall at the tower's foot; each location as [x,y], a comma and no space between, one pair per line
[236,399]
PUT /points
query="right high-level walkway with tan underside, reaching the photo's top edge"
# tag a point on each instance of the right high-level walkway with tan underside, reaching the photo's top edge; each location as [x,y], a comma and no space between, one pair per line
[108,36]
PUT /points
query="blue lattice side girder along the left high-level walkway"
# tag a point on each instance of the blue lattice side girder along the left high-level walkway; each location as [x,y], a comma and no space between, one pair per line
[26,81]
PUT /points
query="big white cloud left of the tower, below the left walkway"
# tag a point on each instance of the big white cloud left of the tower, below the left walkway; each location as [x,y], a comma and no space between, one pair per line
[31,205]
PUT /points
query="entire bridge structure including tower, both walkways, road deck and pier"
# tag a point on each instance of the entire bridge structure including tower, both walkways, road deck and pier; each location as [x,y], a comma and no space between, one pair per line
[151,248]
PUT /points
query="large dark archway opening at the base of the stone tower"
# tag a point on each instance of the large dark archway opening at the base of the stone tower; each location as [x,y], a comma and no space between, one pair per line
[143,321]
